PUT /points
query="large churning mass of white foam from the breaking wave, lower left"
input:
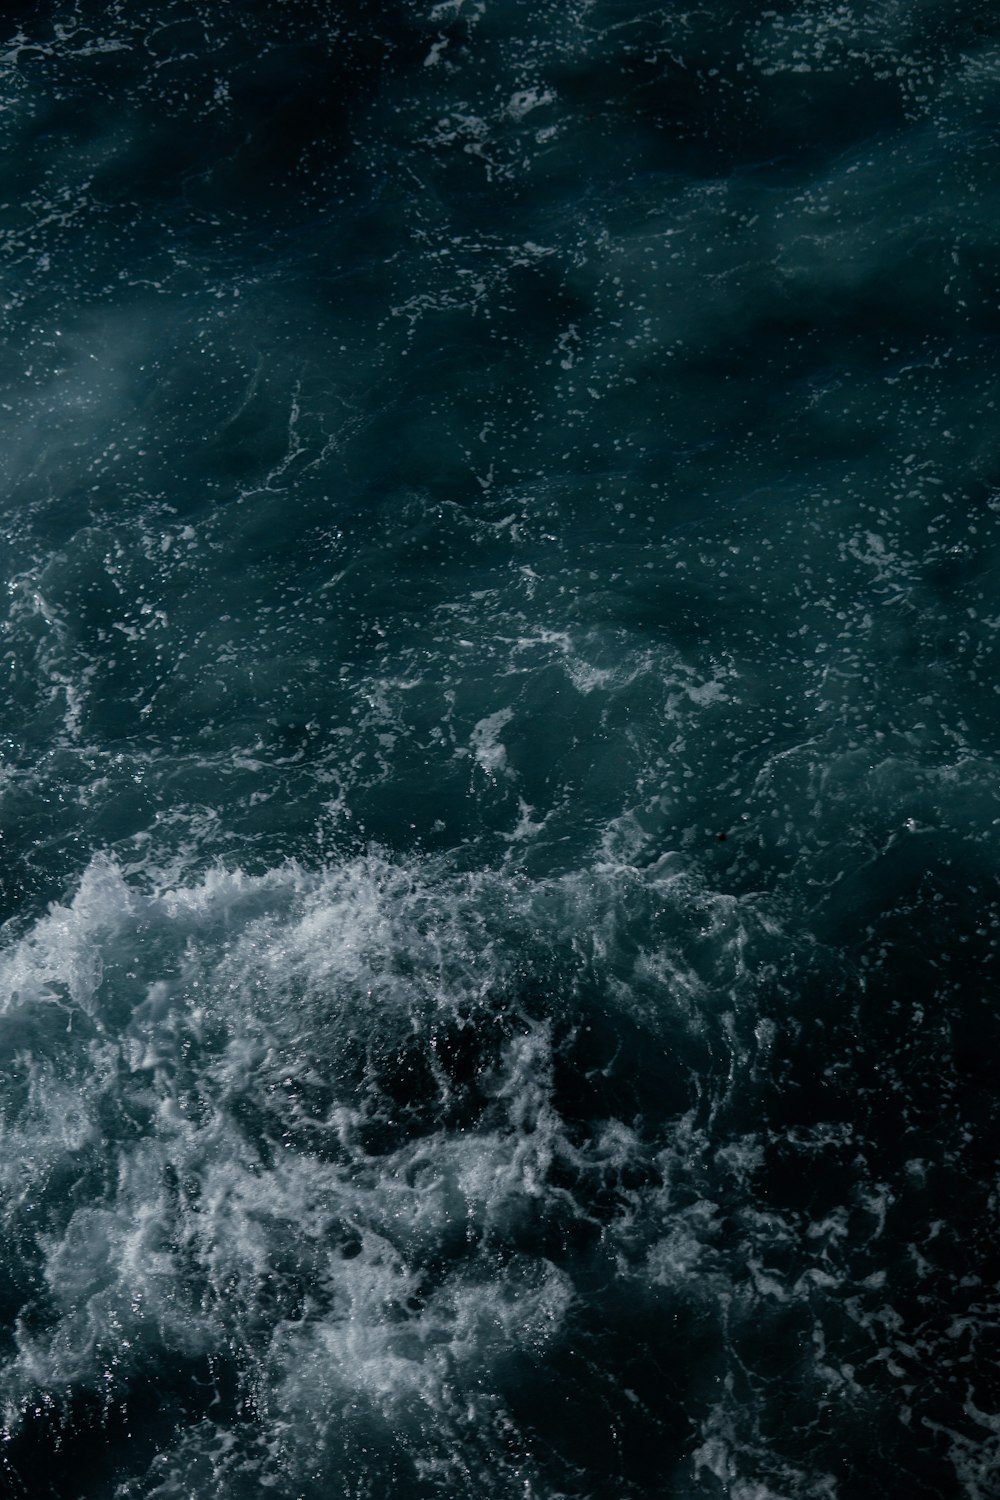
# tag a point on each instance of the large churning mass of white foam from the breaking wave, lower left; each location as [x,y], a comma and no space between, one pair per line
[319,1118]
